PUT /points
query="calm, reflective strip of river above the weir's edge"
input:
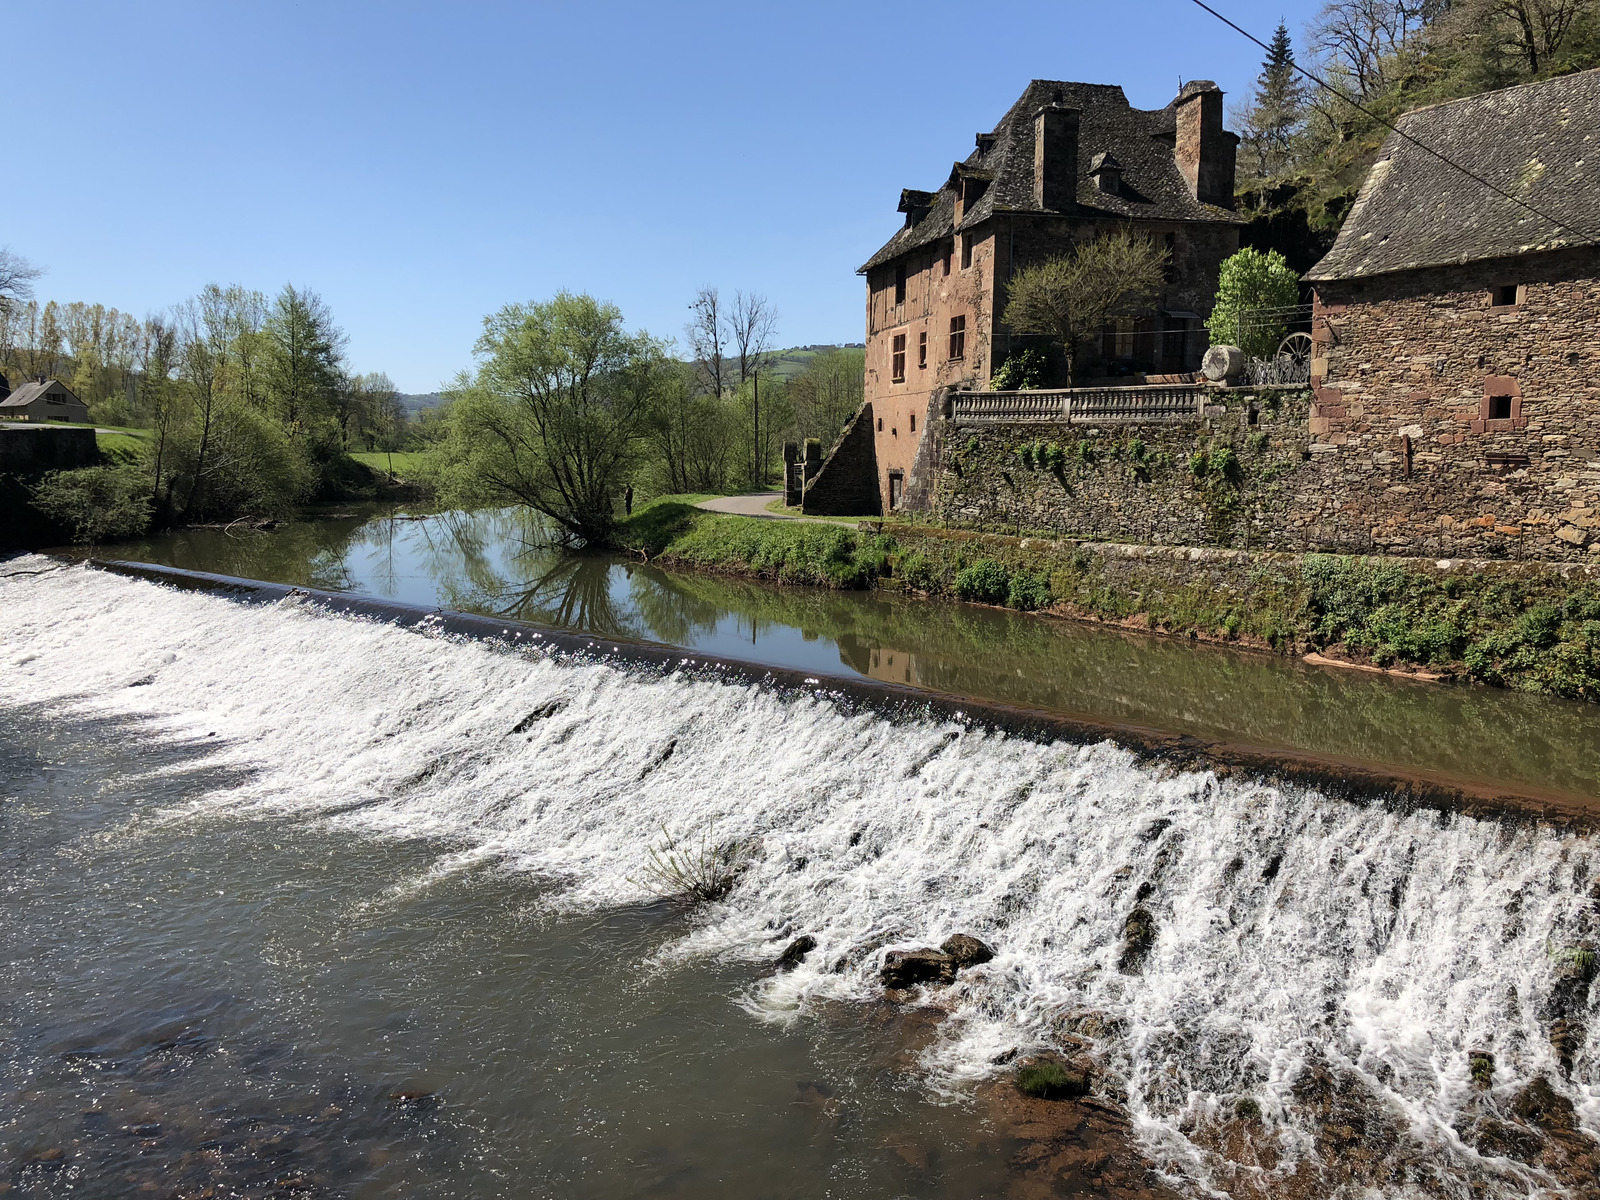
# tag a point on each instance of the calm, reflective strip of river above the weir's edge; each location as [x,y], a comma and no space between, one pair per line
[500,564]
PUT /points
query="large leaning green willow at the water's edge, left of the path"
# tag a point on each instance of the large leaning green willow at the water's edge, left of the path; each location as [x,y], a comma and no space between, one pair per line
[556,414]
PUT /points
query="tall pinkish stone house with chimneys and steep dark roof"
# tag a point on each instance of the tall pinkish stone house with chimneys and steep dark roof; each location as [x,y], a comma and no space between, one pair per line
[1065,164]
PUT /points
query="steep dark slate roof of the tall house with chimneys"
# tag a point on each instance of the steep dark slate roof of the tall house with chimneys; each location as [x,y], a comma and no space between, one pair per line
[1140,140]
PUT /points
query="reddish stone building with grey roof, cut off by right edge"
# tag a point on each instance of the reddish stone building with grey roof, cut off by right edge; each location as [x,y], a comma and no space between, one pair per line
[1457,364]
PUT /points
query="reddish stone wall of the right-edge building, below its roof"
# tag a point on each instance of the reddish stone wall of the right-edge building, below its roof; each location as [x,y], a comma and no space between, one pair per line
[1402,431]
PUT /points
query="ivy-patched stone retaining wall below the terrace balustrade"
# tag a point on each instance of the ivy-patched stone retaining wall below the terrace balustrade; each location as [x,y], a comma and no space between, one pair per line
[1238,478]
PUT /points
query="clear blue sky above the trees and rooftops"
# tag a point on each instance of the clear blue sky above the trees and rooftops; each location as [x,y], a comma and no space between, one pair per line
[423,164]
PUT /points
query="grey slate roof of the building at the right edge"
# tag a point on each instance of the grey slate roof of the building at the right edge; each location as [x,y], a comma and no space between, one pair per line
[1538,142]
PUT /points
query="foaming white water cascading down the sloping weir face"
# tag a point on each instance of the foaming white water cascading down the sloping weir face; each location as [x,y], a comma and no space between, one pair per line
[1318,1012]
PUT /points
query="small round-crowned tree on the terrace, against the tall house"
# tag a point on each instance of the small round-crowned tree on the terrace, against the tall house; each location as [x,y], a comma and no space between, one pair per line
[1074,297]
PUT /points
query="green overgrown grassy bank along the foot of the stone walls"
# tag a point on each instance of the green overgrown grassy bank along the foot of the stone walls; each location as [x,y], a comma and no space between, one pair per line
[1518,626]
